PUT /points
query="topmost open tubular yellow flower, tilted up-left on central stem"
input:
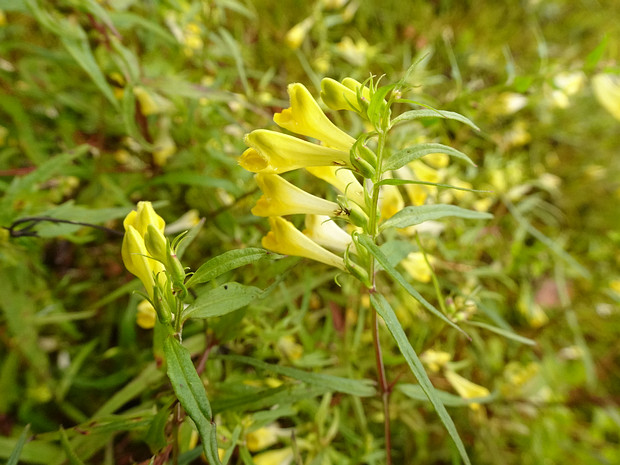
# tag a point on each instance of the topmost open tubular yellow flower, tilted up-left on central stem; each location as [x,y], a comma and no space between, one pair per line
[306,117]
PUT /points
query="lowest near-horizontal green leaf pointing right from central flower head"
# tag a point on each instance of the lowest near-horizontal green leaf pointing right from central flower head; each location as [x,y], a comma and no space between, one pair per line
[412,215]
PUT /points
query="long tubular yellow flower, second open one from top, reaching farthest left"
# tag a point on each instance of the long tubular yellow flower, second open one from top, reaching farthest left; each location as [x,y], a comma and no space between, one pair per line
[273,152]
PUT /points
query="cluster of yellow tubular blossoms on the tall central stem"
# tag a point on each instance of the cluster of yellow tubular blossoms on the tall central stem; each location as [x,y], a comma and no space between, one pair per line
[272,153]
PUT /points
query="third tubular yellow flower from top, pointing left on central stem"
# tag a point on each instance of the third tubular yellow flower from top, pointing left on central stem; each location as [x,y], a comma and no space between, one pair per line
[280,197]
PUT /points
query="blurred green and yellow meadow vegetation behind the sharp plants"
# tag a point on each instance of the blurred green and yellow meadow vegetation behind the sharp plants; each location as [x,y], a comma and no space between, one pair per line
[105,103]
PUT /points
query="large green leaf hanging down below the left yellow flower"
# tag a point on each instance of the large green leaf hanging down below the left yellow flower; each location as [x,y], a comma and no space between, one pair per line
[190,391]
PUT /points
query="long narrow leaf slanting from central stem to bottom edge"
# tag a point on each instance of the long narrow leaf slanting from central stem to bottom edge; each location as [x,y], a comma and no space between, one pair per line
[387,313]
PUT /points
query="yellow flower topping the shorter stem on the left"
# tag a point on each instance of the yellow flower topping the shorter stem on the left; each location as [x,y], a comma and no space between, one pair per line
[134,252]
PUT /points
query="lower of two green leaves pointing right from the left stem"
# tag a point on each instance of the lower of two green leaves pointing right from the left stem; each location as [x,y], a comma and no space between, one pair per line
[222,300]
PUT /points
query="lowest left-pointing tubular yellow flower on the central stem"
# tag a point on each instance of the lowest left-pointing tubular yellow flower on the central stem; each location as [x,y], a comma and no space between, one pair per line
[285,239]
